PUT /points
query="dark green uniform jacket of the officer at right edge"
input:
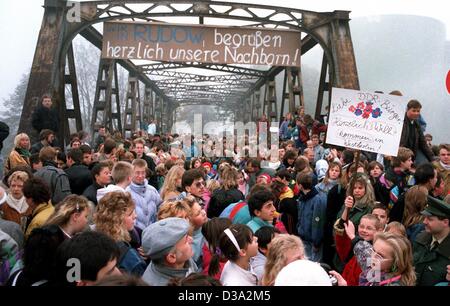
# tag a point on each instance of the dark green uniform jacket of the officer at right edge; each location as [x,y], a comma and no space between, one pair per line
[431,266]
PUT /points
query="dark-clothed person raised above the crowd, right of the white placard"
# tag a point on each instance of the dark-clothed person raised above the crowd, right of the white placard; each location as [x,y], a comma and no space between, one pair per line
[412,136]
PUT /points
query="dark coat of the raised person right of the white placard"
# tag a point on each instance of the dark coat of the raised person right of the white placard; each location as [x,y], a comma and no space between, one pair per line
[413,138]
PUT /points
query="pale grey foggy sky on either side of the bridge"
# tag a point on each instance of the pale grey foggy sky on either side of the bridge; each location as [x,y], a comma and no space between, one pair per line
[407,53]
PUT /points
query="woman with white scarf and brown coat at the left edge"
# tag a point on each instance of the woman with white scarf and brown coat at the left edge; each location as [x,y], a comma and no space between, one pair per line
[16,208]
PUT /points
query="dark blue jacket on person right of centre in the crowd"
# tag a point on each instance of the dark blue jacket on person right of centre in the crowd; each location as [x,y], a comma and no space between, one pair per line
[311,216]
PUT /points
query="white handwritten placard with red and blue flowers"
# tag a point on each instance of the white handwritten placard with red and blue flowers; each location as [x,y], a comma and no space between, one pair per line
[366,121]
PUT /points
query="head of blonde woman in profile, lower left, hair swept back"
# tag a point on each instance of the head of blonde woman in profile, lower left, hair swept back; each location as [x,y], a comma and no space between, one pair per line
[71,215]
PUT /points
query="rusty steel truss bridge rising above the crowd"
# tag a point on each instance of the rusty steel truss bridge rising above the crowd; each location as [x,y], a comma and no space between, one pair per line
[247,91]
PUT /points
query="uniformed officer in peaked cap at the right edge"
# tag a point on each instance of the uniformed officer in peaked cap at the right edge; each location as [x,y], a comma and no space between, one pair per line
[432,246]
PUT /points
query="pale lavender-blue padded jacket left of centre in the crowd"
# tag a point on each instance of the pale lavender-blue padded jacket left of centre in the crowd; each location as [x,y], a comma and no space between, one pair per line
[147,201]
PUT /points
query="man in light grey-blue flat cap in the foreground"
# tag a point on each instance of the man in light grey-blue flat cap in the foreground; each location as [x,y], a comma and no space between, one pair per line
[169,246]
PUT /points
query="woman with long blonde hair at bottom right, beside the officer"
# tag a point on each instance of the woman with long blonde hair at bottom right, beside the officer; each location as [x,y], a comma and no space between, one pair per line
[392,261]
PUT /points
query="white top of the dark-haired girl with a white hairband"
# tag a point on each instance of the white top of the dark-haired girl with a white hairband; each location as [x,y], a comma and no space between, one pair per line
[233,275]
